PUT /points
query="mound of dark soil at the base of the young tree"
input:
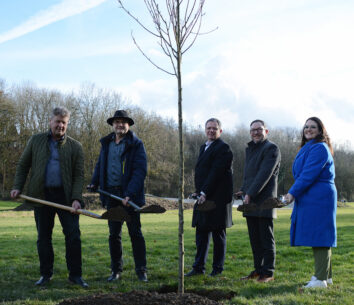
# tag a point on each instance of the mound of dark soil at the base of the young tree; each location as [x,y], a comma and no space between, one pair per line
[141,298]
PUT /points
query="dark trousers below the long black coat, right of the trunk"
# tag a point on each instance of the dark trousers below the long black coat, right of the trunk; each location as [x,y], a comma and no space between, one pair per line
[202,239]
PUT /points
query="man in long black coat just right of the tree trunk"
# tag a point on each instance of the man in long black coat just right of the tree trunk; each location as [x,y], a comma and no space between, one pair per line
[213,181]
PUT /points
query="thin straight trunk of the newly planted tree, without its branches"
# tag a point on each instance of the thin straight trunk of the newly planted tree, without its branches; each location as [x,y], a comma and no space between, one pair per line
[181,162]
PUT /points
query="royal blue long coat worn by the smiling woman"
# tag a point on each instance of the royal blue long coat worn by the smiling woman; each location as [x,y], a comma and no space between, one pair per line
[313,220]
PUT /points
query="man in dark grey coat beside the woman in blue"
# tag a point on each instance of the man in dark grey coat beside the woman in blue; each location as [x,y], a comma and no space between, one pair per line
[260,183]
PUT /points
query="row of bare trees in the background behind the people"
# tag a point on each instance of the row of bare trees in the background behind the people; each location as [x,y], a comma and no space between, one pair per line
[25,110]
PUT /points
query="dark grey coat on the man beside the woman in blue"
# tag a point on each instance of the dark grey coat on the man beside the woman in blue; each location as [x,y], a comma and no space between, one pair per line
[260,179]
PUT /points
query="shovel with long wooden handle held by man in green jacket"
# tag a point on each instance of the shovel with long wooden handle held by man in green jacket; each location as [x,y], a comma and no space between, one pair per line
[115,214]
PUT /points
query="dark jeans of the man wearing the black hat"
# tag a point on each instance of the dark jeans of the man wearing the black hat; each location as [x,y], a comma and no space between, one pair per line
[115,237]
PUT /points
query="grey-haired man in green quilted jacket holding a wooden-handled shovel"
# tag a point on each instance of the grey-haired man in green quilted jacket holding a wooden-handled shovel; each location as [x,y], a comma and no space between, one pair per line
[57,174]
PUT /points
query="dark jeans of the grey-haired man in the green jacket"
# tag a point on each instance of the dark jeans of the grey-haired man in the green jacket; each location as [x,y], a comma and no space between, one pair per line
[44,217]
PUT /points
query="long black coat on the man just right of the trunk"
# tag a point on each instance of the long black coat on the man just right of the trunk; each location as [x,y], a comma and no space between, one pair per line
[213,176]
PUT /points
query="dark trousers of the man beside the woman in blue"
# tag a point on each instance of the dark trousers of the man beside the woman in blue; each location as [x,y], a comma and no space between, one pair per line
[262,241]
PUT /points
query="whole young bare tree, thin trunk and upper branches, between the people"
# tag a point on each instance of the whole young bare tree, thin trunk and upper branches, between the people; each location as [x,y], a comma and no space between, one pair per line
[168,30]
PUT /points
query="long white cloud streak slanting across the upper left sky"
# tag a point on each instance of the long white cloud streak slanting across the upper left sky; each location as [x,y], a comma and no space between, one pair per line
[62,10]
